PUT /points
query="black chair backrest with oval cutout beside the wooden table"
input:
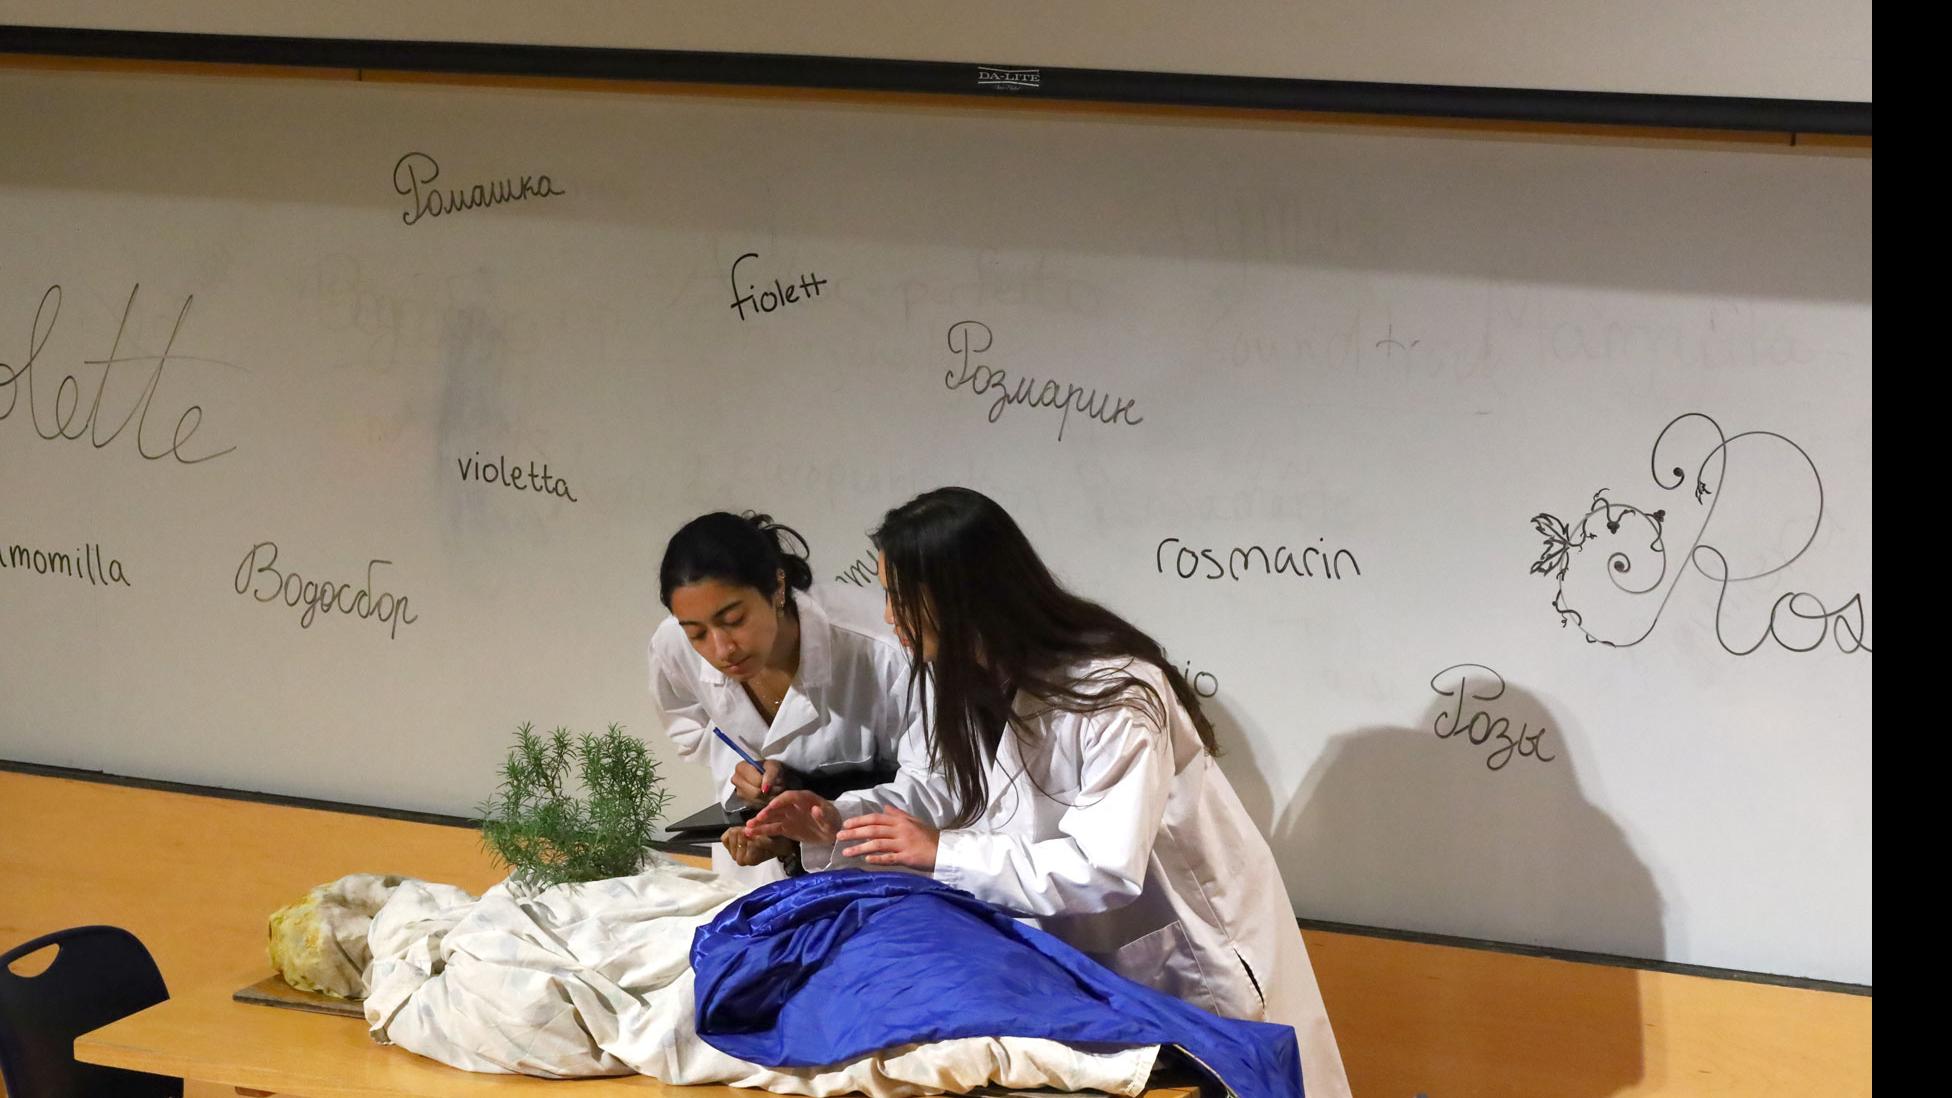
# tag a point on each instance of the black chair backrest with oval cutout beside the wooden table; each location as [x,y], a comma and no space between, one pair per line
[101,974]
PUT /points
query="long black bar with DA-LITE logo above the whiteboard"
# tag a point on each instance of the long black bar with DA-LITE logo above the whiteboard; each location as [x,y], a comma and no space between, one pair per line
[959,79]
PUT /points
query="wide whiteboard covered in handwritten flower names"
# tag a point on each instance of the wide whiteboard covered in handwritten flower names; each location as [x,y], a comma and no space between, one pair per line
[1319,392]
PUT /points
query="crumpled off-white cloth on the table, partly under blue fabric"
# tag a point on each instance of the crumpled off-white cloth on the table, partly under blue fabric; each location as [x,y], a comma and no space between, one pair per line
[596,980]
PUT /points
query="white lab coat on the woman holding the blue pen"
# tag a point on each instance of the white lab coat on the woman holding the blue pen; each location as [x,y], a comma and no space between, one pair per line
[848,710]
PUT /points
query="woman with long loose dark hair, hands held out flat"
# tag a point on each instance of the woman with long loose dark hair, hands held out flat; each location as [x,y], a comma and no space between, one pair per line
[1080,782]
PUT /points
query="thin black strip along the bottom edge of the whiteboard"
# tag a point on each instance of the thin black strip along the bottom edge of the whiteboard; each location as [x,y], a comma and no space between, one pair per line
[1414,937]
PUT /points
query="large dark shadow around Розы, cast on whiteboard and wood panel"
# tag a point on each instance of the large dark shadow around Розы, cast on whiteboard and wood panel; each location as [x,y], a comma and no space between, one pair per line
[1471,823]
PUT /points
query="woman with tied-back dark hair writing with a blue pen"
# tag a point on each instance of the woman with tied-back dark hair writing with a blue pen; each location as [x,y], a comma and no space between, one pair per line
[754,652]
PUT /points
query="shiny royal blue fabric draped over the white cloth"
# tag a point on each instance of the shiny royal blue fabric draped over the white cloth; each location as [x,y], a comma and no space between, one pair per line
[836,966]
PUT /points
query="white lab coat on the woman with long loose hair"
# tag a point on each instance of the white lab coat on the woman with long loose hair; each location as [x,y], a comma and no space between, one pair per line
[1133,847]
